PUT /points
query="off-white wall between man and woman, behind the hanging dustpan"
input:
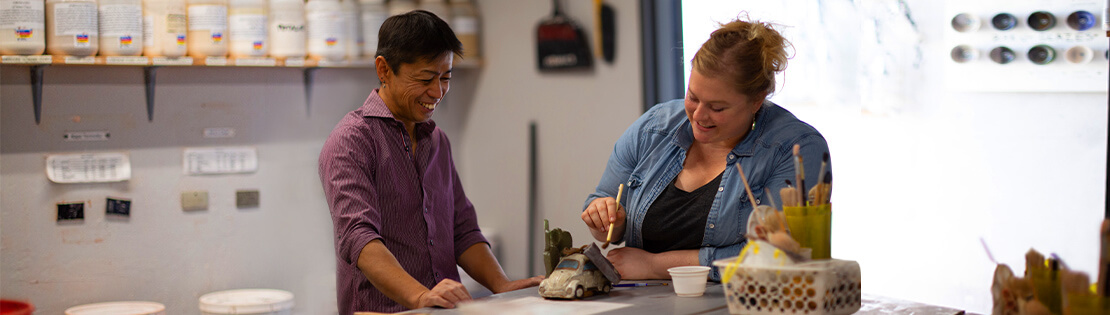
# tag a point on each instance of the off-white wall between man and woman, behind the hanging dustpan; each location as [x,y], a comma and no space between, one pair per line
[579,117]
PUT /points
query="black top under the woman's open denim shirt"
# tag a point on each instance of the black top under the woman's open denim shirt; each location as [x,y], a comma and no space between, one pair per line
[677,219]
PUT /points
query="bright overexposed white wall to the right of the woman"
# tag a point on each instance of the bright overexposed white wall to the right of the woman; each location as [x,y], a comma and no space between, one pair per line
[924,172]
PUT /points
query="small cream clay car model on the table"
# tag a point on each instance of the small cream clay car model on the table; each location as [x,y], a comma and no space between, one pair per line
[574,278]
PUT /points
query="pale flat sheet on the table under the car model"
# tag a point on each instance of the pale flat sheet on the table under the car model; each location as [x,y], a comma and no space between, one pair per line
[538,307]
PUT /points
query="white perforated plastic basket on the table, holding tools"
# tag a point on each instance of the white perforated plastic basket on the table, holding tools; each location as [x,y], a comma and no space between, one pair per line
[826,287]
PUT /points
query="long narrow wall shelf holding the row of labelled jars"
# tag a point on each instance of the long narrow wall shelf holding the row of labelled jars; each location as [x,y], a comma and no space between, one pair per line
[211,62]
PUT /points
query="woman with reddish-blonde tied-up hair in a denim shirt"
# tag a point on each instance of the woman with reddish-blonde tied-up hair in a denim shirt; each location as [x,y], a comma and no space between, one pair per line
[684,202]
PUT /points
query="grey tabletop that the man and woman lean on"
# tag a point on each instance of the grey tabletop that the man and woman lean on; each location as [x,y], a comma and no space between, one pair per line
[651,300]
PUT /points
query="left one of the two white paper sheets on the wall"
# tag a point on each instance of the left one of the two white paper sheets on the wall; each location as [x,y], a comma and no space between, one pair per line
[88,168]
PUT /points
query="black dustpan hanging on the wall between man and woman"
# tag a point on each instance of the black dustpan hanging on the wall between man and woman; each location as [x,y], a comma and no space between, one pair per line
[561,44]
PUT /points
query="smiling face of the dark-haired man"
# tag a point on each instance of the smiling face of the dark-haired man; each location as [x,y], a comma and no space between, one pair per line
[415,90]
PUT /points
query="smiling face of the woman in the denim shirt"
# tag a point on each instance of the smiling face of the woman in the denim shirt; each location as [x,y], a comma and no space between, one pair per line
[718,113]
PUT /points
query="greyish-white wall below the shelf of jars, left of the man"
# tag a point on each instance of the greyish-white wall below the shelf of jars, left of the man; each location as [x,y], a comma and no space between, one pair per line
[163,253]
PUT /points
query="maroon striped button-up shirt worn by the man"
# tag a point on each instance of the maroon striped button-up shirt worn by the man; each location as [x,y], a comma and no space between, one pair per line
[378,190]
